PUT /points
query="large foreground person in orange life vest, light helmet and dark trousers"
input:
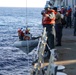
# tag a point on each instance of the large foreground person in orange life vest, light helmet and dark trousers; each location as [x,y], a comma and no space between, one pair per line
[48,21]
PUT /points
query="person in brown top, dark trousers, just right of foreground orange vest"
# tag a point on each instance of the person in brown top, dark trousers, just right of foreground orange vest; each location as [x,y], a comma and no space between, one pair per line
[58,26]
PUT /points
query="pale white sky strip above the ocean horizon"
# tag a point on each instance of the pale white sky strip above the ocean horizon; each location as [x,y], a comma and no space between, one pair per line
[22,3]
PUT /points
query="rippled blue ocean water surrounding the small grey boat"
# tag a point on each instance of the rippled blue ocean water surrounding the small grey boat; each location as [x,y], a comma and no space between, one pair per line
[14,61]
